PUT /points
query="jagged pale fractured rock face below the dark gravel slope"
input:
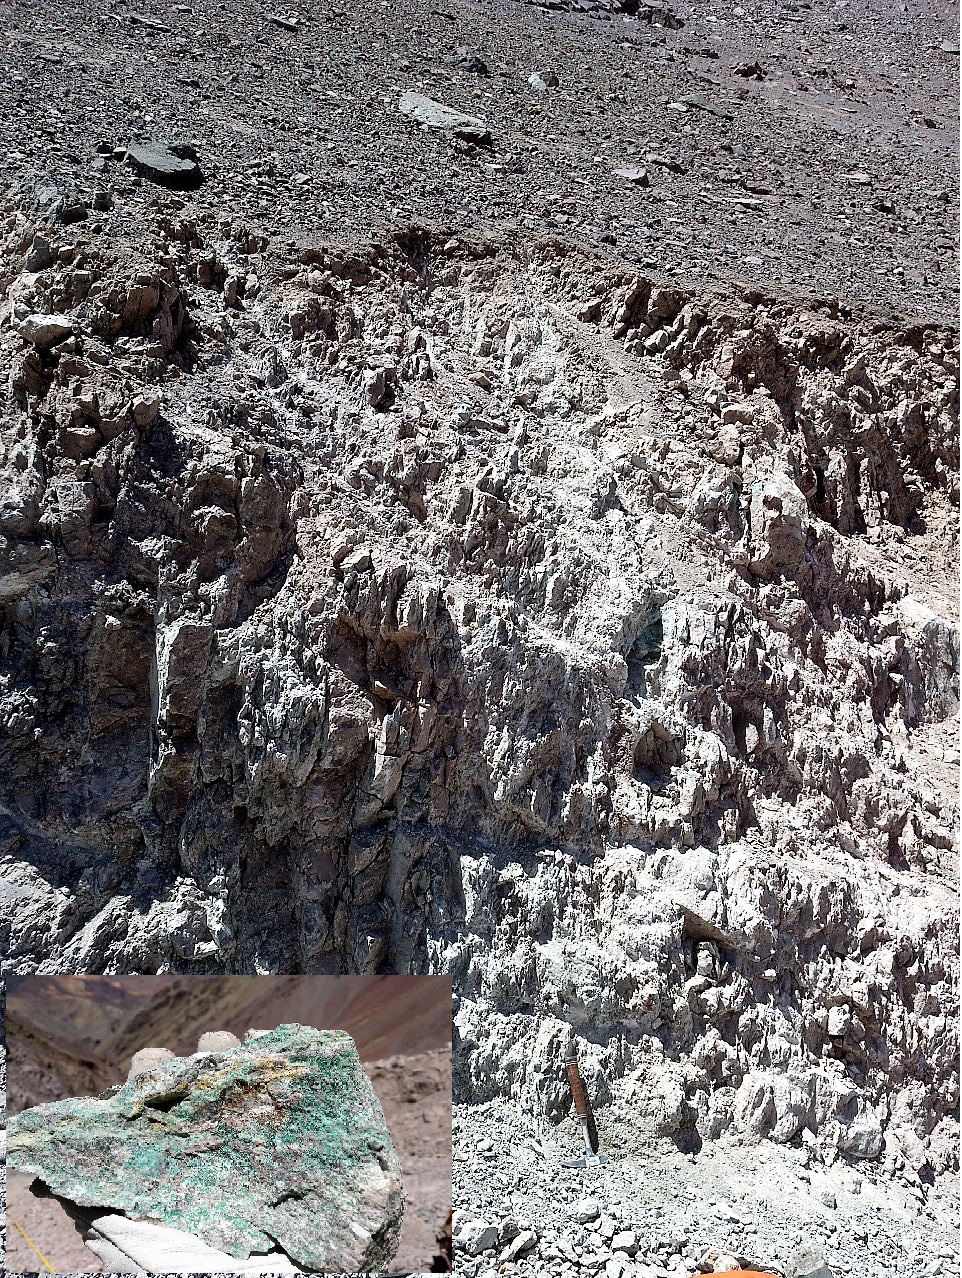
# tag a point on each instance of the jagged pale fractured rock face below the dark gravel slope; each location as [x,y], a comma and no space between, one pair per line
[477,609]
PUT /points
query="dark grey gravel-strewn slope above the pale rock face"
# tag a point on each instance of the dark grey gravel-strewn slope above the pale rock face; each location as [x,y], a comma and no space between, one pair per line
[798,145]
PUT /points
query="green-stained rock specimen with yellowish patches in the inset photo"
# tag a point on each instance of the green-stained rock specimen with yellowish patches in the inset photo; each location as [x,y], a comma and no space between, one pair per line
[280,1141]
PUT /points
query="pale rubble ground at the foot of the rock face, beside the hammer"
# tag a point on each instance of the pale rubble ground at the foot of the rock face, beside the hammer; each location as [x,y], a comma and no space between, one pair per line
[668,1212]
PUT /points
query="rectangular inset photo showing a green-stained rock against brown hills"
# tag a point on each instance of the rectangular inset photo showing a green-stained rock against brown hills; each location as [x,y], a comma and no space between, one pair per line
[229,1125]
